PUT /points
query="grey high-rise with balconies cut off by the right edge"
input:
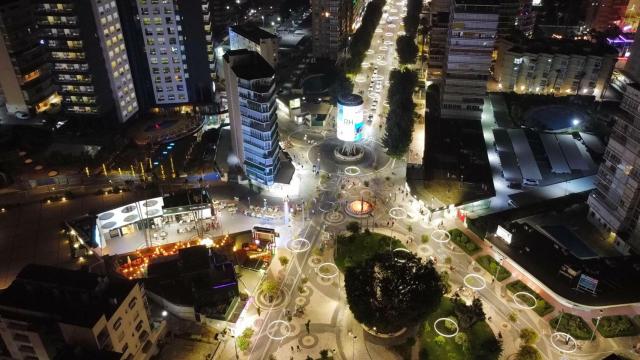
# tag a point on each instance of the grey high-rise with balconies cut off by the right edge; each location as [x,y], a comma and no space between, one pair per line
[614,206]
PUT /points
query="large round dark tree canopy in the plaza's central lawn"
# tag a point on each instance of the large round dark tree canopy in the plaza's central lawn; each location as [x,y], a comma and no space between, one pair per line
[390,294]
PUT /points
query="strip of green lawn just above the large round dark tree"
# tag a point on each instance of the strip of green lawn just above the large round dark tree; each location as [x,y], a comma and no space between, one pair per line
[356,248]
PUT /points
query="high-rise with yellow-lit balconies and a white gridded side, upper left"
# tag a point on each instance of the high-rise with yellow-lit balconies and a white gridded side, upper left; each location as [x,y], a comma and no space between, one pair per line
[90,63]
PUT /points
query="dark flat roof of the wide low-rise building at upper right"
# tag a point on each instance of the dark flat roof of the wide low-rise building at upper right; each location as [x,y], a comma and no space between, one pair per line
[559,46]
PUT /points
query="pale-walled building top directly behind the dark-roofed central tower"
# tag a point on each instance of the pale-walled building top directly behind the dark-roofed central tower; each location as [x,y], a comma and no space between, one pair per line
[255,39]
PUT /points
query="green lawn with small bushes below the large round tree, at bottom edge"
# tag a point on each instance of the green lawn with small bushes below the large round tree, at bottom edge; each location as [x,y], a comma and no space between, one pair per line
[433,346]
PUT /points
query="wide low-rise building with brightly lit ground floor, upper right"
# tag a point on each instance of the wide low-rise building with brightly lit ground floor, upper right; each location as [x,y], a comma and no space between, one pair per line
[561,67]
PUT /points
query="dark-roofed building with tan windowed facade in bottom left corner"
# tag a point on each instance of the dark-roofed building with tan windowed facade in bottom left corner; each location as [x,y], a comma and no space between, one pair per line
[46,308]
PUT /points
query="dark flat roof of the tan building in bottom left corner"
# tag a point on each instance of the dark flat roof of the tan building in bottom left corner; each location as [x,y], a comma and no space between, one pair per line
[70,296]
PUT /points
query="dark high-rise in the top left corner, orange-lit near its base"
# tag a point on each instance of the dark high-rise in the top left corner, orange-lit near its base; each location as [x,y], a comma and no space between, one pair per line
[26,78]
